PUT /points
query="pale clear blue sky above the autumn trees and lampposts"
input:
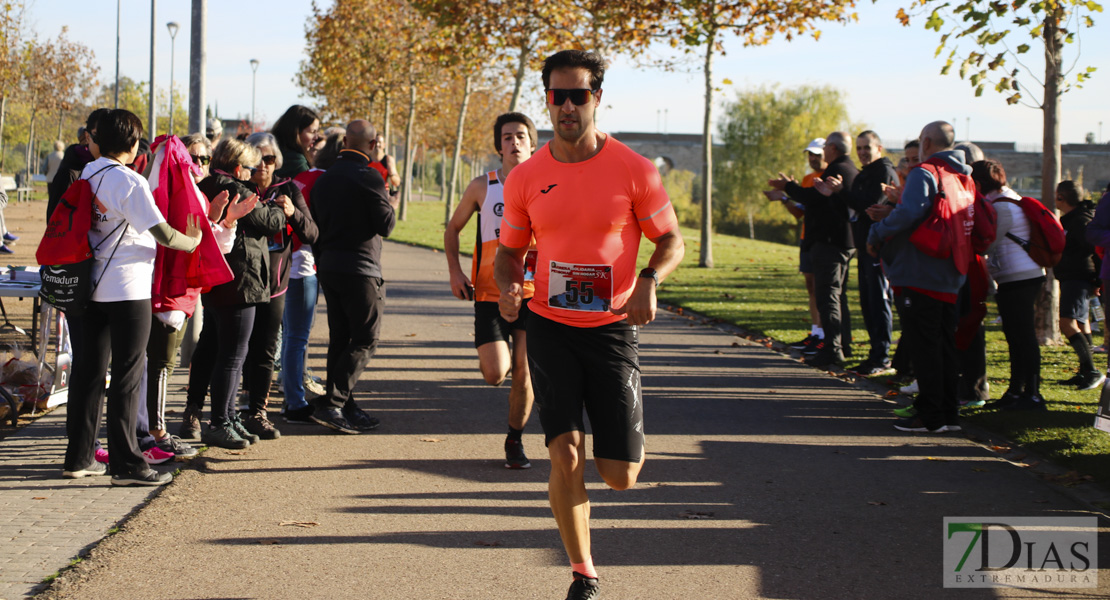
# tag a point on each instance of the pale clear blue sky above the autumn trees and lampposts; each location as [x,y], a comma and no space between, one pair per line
[890,73]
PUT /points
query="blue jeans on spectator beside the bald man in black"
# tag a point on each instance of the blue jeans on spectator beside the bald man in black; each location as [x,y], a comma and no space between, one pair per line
[297,324]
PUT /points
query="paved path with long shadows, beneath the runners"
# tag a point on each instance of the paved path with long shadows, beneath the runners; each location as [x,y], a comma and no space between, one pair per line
[764,480]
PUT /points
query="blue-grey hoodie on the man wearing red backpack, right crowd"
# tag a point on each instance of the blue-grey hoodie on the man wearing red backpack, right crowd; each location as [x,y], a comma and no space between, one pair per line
[904,265]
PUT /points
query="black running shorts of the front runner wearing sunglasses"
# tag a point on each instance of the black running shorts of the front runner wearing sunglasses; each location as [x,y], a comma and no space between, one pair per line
[597,369]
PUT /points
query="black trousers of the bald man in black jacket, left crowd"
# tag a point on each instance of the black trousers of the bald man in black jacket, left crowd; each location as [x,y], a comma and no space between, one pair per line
[356,306]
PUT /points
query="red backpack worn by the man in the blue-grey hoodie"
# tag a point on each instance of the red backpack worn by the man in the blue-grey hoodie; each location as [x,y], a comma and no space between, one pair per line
[947,232]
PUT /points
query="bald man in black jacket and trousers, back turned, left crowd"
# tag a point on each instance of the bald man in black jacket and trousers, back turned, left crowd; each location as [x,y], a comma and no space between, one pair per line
[354,212]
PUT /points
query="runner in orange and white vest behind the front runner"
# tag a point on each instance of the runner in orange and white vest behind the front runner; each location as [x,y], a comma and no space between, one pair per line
[514,138]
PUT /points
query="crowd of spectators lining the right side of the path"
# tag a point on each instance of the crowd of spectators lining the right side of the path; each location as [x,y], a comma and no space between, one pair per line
[874,215]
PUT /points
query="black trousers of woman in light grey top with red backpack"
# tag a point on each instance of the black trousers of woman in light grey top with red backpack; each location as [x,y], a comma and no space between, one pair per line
[1017,307]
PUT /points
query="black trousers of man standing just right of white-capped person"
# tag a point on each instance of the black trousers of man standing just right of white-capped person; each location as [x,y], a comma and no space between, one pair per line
[831,289]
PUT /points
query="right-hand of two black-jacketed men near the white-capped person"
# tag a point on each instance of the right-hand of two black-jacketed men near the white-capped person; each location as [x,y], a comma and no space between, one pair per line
[876,301]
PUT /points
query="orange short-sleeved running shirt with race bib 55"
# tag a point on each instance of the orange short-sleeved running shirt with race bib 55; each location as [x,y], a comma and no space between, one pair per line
[588,219]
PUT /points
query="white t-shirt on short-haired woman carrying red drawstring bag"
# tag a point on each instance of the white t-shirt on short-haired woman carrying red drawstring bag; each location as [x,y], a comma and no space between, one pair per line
[123,197]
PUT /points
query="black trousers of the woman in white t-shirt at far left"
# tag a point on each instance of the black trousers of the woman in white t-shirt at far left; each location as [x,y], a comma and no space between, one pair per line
[114,332]
